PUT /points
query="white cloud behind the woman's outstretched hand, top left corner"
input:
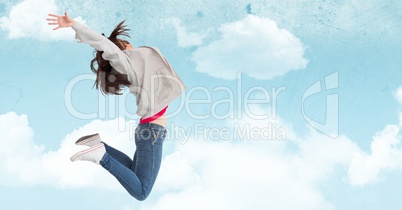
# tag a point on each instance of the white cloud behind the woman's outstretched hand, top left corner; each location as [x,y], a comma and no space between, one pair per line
[27,19]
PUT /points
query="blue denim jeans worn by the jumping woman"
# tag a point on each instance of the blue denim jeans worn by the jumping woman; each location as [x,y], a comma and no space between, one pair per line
[138,176]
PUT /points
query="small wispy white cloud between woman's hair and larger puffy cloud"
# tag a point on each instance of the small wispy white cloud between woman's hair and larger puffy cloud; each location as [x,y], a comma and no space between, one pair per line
[184,38]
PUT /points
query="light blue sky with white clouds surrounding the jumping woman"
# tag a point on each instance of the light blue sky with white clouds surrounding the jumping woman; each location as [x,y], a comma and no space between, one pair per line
[349,49]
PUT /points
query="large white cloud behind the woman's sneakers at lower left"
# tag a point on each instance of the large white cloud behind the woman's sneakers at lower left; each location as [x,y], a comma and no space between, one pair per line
[22,162]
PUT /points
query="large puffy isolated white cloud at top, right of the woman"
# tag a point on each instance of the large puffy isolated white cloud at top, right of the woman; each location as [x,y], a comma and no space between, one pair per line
[254,46]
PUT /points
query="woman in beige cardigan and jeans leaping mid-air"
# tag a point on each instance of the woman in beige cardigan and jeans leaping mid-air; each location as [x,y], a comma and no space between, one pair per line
[154,83]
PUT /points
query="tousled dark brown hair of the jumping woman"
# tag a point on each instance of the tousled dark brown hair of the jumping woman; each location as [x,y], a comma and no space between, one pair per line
[109,80]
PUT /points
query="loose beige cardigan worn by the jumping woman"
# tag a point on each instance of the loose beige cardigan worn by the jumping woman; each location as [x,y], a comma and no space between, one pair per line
[155,83]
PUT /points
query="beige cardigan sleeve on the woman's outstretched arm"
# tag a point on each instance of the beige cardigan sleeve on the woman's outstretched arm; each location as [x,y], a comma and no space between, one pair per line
[116,57]
